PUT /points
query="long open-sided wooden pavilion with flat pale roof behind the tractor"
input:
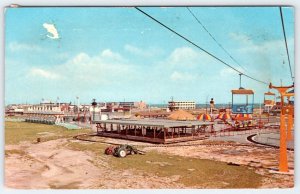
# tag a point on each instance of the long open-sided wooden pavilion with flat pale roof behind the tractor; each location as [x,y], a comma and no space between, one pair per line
[154,130]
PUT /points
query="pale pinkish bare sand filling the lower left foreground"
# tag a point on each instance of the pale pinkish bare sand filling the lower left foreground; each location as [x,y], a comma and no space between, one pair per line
[50,165]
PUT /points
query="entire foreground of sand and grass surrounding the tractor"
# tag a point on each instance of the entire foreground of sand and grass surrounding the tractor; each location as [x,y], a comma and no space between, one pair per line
[60,162]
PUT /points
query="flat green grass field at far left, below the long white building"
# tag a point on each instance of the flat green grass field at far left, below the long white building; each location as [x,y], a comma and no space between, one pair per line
[15,132]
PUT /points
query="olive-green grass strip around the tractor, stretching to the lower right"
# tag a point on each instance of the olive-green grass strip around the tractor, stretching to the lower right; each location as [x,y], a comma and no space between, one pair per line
[193,172]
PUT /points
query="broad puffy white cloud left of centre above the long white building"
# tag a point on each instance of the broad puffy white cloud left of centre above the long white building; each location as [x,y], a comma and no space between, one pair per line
[103,69]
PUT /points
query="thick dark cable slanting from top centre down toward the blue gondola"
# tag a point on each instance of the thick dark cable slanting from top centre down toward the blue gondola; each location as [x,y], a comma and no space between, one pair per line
[186,39]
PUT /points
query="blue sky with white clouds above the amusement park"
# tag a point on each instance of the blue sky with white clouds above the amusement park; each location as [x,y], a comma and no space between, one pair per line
[113,54]
